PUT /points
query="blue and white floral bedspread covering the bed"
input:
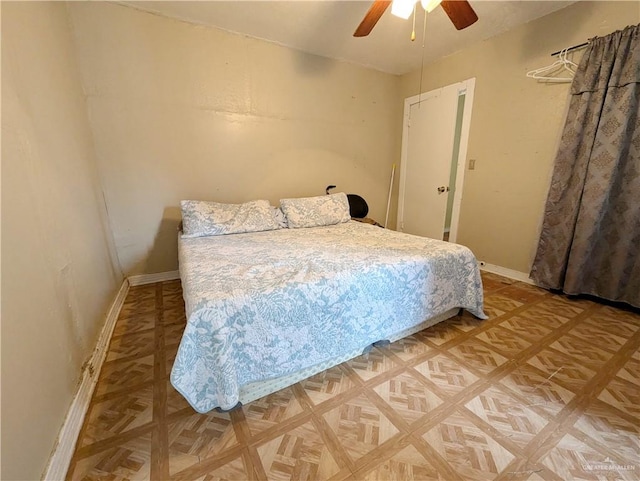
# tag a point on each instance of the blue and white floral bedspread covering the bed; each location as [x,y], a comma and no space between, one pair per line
[265,304]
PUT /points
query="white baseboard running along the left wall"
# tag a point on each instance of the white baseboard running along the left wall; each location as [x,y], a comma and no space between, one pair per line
[68,436]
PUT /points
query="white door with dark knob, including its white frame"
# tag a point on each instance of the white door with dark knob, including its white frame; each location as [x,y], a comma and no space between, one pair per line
[433,151]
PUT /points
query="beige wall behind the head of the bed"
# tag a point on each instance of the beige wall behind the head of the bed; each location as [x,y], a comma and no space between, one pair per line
[183,111]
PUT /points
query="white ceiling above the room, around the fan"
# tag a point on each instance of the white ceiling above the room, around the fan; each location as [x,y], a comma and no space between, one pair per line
[325,27]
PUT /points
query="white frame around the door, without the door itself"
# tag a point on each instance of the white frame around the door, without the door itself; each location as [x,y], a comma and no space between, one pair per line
[467,87]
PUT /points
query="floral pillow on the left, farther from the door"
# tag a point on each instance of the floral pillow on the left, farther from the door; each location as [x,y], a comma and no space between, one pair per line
[201,218]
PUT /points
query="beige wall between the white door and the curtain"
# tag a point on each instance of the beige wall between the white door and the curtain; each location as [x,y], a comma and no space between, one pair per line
[516,125]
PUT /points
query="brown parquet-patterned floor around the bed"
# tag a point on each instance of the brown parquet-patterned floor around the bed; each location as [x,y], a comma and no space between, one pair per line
[548,388]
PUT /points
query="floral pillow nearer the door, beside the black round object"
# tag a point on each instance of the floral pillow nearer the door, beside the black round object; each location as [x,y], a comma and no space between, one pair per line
[316,211]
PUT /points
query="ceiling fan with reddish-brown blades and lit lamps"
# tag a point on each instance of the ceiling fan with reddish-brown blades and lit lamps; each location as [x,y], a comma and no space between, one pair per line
[459,11]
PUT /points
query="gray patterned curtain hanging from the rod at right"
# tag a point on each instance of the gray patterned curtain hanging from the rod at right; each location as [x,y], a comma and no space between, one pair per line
[590,239]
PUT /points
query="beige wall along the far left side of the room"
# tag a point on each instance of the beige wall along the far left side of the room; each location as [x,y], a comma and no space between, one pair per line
[57,276]
